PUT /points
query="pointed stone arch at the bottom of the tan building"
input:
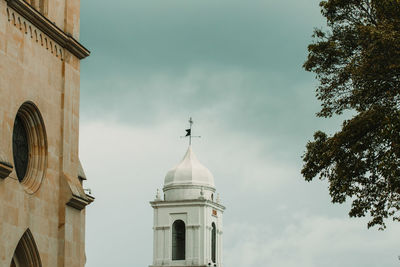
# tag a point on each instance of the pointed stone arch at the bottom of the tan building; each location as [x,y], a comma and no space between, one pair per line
[26,253]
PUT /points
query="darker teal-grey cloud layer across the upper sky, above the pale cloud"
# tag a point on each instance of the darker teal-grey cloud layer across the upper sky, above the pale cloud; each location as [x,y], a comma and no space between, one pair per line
[239,60]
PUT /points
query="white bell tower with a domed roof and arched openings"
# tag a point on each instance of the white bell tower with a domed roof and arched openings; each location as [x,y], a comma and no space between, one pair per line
[188,220]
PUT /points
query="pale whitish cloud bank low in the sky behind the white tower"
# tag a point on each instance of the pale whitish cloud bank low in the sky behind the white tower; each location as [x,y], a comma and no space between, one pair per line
[272,217]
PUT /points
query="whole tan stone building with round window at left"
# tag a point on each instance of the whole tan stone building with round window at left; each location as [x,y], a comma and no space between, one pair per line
[42,201]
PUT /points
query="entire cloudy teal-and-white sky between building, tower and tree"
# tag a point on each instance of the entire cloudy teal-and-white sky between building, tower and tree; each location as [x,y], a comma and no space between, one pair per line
[236,67]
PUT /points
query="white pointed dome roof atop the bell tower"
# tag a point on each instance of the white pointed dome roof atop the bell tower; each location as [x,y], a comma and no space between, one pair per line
[189,172]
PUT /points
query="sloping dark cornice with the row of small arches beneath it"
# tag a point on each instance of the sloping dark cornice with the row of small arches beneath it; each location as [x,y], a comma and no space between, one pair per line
[46,32]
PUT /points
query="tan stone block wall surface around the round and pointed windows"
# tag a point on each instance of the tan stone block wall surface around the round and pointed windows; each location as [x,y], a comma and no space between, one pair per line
[37,68]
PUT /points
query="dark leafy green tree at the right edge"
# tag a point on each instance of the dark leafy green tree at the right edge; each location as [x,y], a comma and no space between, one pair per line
[357,62]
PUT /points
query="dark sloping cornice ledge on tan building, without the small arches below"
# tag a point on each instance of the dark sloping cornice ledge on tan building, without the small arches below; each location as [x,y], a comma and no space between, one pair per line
[46,26]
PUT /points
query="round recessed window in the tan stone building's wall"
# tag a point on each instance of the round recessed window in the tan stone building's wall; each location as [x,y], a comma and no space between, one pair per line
[29,147]
